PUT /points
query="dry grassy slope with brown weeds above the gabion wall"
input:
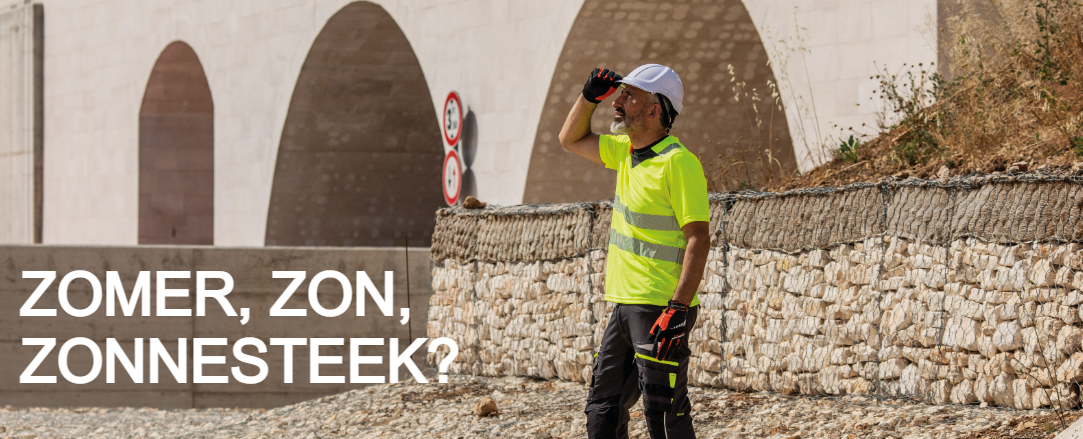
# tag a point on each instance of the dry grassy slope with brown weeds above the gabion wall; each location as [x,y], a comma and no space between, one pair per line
[1015,97]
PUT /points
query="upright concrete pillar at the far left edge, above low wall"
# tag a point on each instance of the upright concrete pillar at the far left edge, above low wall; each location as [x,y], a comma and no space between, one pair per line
[21,134]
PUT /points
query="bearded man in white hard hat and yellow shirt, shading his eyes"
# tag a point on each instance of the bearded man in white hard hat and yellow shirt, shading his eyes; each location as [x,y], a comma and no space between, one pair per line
[659,244]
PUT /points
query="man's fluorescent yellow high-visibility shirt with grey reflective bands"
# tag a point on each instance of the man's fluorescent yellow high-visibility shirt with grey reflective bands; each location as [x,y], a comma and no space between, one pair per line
[657,195]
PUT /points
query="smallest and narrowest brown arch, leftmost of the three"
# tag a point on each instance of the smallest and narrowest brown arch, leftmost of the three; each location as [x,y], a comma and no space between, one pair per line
[177,152]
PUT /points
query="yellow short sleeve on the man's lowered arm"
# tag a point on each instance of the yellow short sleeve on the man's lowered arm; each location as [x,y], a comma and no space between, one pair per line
[688,189]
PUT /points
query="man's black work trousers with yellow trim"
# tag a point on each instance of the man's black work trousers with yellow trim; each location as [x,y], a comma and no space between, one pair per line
[624,371]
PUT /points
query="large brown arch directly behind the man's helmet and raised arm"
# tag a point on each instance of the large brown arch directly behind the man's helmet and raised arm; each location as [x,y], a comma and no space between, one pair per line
[700,41]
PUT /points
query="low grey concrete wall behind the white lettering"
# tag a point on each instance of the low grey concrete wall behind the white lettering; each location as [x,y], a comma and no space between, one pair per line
[254,288]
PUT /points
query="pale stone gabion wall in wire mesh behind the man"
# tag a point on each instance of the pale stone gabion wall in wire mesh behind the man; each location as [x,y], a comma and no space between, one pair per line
[962,291]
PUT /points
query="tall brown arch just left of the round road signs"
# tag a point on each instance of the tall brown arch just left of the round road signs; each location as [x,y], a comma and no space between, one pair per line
[361,151]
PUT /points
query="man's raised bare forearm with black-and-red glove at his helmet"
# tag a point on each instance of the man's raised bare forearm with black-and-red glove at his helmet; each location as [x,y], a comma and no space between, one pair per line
[577,136]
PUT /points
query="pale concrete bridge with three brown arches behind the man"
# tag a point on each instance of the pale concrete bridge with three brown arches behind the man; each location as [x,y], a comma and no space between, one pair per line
[318,123]
